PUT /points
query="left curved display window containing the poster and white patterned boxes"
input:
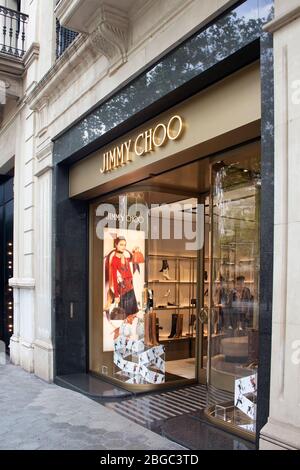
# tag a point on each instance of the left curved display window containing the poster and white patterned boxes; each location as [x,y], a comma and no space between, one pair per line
[144,288]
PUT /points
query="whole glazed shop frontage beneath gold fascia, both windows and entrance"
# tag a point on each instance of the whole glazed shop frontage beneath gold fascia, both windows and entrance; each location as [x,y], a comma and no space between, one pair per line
[167,308]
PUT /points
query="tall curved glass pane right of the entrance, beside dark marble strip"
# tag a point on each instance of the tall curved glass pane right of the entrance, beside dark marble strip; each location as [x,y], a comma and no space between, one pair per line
[234,290]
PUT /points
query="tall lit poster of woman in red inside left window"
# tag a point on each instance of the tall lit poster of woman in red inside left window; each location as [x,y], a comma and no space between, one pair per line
[123,279]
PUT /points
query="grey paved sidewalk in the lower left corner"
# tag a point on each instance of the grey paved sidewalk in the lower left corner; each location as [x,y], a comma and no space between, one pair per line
[36,415]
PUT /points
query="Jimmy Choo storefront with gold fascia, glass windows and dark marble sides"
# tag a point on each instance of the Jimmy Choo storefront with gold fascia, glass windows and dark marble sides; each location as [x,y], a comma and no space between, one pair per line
[159,238]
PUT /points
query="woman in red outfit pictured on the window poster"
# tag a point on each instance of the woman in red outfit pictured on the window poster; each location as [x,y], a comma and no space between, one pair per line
[120,277]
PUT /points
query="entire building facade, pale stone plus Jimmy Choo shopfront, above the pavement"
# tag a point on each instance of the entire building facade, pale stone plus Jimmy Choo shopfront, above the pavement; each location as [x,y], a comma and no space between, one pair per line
[148,141]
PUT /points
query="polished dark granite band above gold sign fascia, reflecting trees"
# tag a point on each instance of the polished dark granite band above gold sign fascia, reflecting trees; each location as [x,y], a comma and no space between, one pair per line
[234,30]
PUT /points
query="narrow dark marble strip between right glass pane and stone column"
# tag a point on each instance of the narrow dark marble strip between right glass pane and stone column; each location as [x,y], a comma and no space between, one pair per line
[267,230]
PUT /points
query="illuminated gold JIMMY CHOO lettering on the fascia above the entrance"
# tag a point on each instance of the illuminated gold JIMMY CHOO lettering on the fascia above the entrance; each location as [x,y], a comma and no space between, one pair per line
[146,142]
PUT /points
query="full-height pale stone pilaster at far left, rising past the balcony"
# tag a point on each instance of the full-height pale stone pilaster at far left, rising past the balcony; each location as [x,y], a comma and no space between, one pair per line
[23,281]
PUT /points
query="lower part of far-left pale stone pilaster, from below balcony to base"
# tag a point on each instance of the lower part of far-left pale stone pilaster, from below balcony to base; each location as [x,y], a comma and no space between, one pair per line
[23,280]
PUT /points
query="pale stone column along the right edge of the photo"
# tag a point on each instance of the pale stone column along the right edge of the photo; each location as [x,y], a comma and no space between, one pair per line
[283,428]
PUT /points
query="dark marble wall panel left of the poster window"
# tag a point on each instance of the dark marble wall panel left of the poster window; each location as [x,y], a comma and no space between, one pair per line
[70,286]
